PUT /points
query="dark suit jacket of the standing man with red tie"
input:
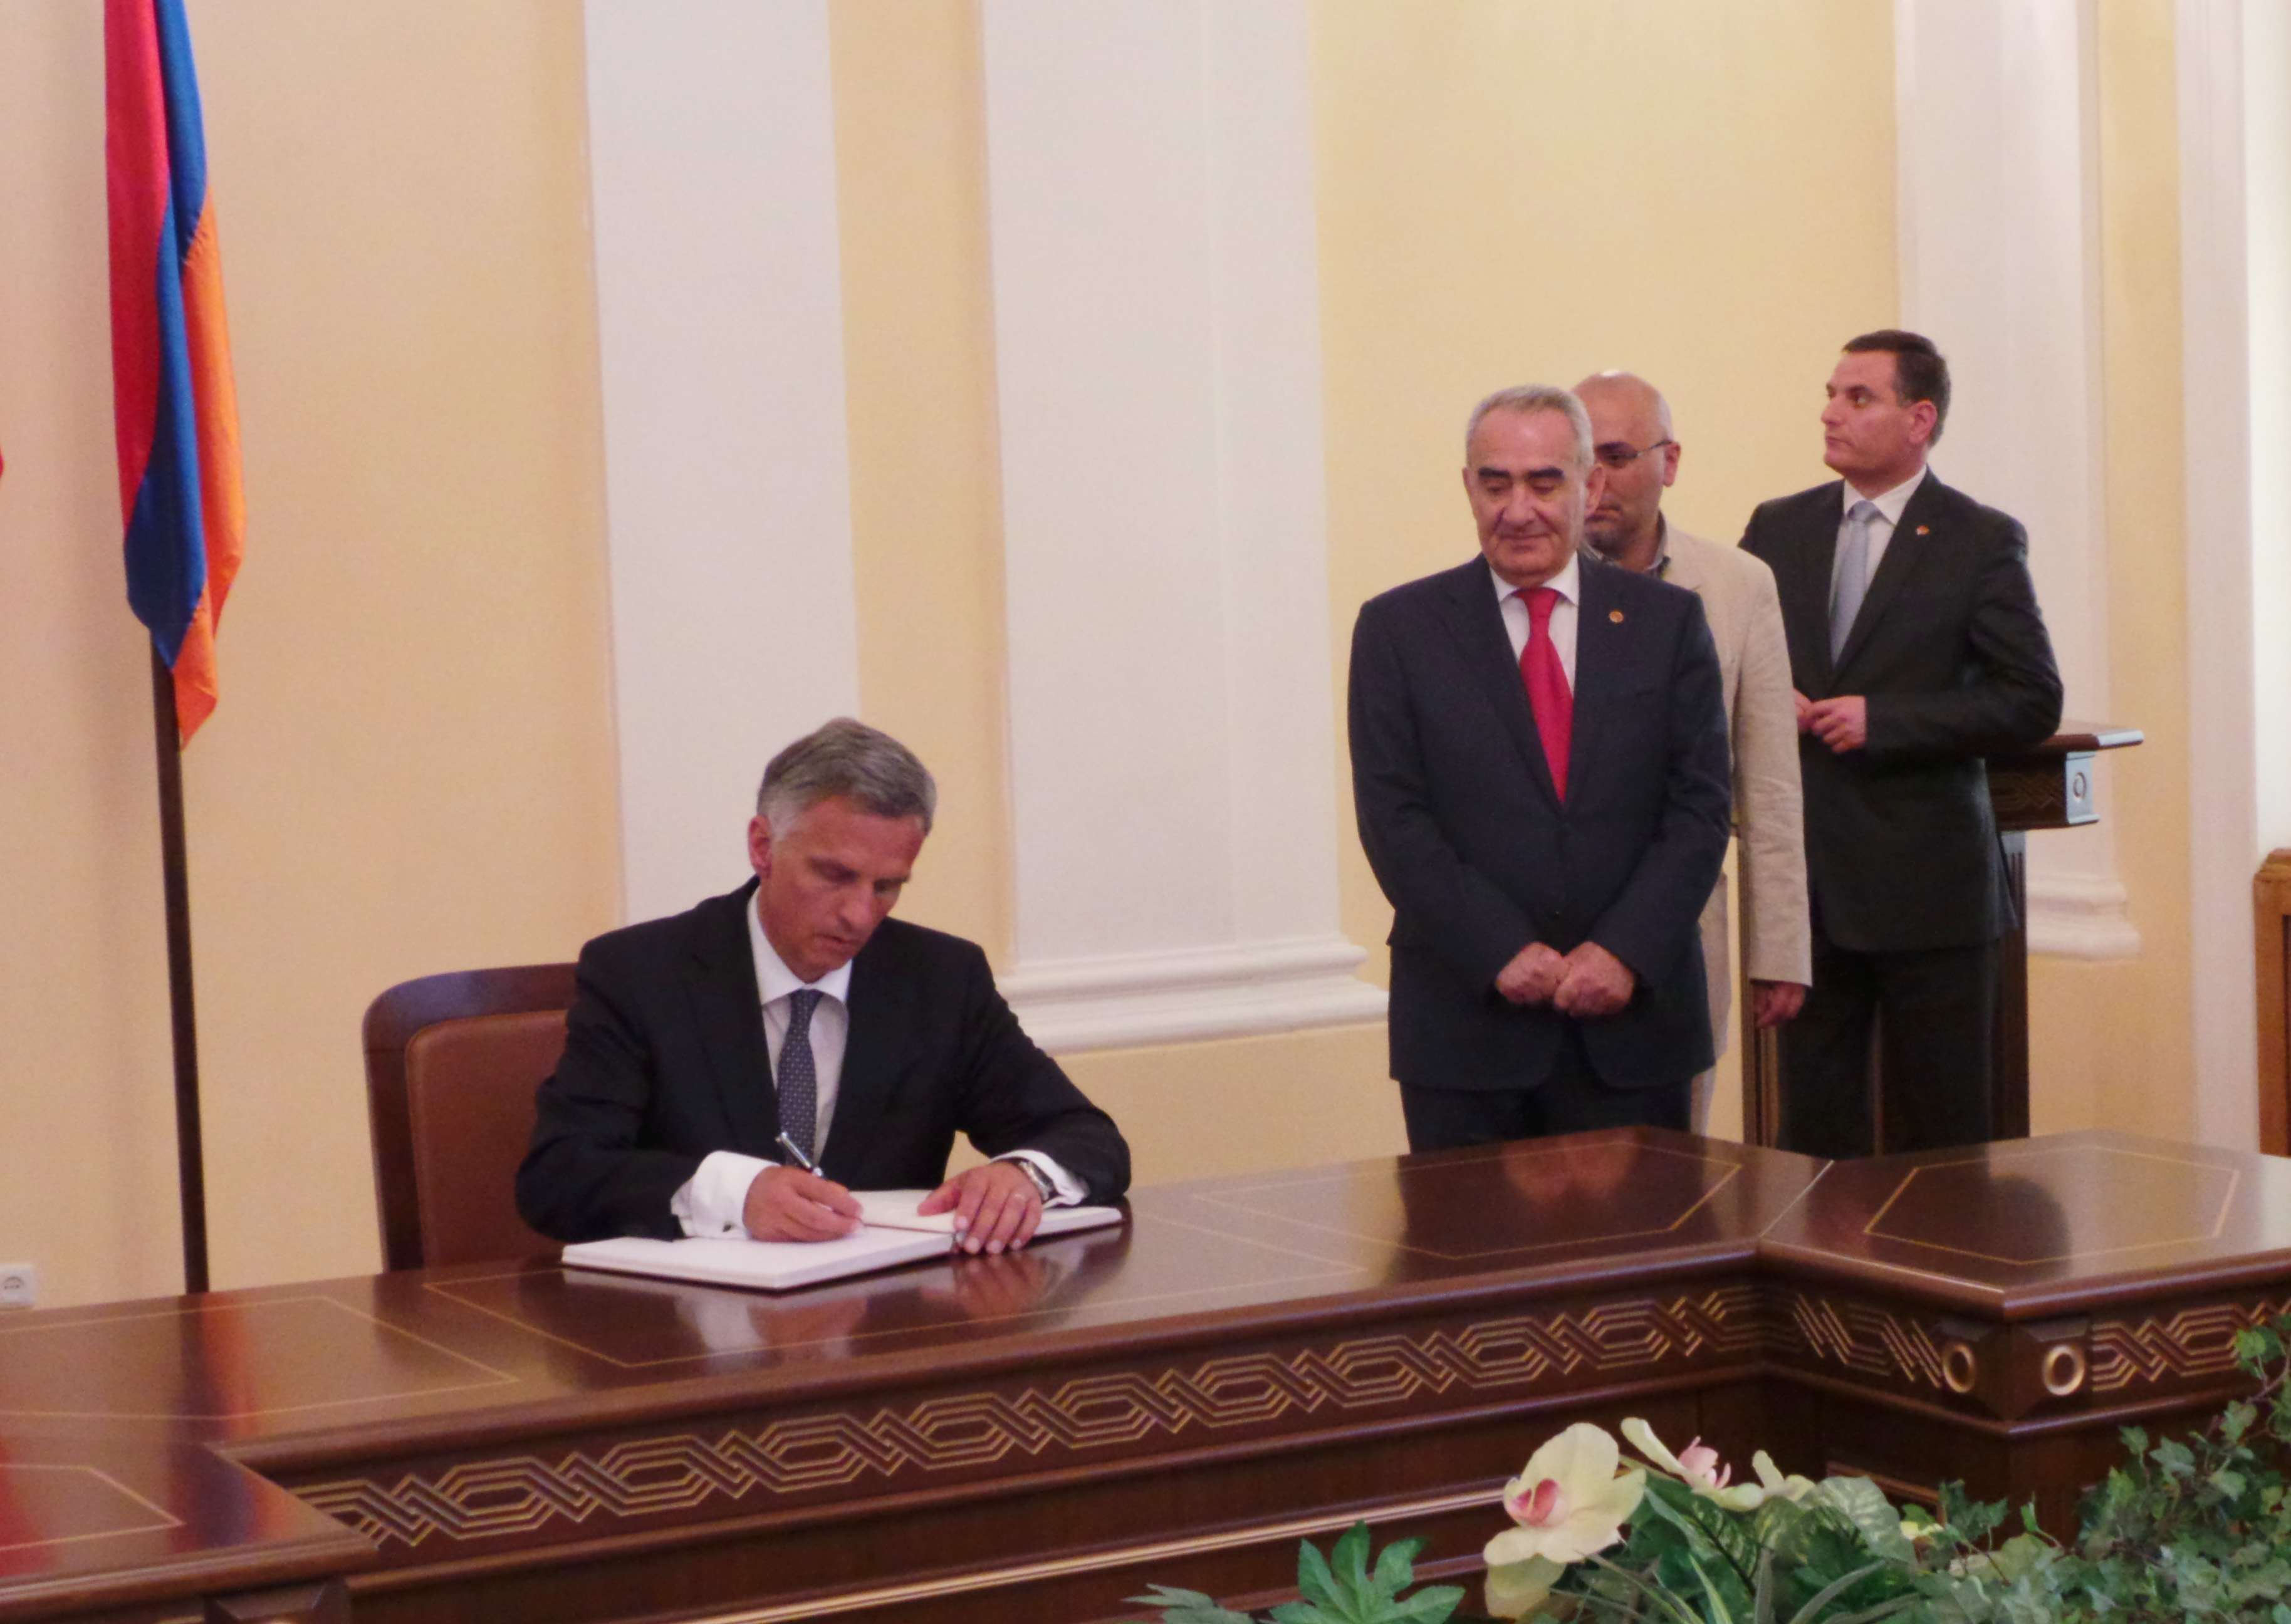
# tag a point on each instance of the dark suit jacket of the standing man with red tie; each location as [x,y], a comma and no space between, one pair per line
[1479,856]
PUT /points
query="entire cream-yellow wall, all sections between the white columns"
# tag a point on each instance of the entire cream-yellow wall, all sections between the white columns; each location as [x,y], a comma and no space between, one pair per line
[414,762]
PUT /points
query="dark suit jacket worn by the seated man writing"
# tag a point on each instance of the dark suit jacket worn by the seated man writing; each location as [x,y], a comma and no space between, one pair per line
[666,1062]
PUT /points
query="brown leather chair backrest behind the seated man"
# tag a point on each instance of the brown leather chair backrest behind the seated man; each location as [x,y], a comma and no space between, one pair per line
[452,1064]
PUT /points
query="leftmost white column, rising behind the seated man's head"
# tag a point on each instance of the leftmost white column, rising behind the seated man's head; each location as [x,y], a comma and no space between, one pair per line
[721,320]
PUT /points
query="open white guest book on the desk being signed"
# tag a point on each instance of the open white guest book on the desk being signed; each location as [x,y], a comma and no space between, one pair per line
[892,1233]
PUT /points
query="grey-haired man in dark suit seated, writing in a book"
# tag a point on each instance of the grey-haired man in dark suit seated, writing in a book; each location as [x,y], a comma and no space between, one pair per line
[711,1057]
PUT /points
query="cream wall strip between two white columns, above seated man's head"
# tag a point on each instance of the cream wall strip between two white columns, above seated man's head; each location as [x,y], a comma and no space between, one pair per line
[920,375]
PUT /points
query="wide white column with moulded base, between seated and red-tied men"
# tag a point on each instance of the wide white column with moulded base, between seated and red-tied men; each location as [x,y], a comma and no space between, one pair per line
[1158,363]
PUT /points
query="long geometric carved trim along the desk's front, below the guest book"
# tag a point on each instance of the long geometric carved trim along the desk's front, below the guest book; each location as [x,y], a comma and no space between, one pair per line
[961,1433]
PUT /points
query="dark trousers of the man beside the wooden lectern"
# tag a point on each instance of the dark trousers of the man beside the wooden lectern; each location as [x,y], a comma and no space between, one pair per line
[1932,1009]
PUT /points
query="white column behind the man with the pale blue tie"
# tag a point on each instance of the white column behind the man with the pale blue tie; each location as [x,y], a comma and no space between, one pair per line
[1999,200]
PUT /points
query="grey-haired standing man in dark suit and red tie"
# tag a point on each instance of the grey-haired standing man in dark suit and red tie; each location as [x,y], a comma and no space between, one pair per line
[1541,775]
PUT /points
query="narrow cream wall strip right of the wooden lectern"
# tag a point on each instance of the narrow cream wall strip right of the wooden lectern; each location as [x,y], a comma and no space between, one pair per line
[2113,1043]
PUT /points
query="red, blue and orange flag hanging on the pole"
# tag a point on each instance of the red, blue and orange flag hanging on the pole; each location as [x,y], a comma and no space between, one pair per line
[173,400]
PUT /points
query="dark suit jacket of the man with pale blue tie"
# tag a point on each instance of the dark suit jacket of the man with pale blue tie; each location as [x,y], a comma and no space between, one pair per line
[1951,654]
